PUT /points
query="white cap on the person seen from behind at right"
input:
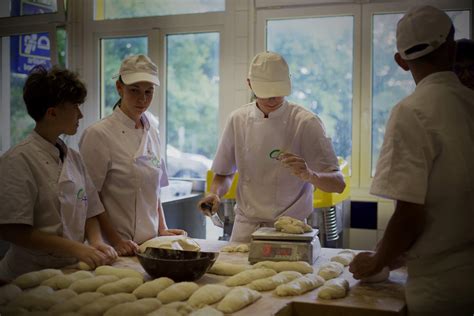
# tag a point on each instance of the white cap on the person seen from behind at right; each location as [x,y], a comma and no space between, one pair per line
[424,26]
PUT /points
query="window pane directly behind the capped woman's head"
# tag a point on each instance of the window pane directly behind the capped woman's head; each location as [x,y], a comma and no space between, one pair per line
[114,50]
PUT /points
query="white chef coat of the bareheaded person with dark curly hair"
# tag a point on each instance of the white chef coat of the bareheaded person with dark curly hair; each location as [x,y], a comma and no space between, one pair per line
[40,190]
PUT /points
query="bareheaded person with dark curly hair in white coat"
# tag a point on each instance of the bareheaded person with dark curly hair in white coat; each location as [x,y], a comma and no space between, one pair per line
[48,202]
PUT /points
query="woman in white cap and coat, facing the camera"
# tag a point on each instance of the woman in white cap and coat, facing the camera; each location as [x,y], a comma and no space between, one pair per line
[123,154]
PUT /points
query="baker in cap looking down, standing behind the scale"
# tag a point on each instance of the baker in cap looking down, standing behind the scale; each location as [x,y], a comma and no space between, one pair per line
[267,128]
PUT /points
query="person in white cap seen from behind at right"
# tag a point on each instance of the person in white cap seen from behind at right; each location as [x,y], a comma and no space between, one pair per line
[425,165]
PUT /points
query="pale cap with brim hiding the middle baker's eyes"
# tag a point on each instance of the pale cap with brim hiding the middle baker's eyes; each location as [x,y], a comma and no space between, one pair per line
[269,75]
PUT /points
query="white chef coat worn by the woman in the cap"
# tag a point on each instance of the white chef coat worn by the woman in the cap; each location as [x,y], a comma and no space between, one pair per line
[127,167]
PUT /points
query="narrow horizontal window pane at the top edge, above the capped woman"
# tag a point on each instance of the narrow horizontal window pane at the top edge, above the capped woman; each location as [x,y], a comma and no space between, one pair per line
[117,9]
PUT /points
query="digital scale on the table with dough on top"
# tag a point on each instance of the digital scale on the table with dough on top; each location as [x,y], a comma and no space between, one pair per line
[269,244]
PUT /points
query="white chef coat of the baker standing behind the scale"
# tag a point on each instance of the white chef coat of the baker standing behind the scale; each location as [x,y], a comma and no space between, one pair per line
[266,189]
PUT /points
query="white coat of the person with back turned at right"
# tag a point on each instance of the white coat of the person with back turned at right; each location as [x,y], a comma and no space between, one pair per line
[427,158]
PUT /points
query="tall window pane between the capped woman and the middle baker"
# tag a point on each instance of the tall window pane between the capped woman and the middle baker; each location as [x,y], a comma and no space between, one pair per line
[192,100]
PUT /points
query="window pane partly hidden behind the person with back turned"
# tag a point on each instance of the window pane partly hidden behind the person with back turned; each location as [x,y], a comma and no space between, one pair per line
[390,83]
